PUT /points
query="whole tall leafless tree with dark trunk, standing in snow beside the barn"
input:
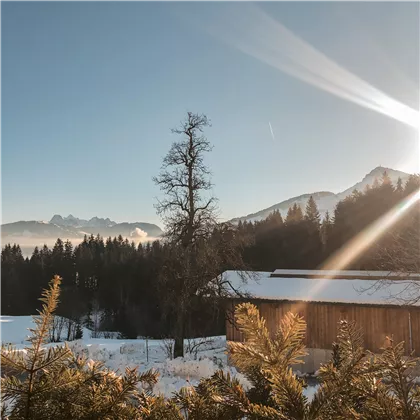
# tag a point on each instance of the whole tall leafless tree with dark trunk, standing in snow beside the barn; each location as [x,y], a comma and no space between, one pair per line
[197,249]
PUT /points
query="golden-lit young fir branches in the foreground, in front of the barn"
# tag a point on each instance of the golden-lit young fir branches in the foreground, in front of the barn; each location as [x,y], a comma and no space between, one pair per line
[354,385]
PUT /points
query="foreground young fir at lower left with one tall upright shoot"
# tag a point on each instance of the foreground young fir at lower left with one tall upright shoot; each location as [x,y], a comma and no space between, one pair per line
[53,383]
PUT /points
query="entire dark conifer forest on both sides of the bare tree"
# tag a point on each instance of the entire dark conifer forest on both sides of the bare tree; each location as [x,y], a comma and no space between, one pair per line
[115,285]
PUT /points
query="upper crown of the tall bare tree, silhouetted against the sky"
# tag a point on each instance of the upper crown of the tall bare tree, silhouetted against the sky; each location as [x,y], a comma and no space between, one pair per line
[187,209]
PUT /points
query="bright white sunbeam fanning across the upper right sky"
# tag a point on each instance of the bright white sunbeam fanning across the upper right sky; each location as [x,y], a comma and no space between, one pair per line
[255,33]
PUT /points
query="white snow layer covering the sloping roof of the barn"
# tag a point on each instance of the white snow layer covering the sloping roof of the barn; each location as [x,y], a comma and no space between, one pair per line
[362,291]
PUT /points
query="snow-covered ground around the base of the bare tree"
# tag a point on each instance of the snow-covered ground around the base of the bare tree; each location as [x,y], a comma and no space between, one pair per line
[141,353]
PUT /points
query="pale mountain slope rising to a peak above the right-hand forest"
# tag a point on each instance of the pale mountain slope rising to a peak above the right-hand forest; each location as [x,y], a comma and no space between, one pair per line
[325,200]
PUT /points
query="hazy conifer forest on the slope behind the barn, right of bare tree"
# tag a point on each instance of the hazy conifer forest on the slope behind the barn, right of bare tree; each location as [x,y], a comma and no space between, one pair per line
[304,240]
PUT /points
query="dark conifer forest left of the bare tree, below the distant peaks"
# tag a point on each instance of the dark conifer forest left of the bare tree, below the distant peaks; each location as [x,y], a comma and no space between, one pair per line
[108,284]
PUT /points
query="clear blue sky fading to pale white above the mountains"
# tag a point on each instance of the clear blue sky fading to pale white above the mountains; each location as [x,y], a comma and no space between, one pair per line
[90,91]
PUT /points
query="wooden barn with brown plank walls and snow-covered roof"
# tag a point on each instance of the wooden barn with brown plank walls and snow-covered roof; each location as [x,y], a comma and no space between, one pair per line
[323,298]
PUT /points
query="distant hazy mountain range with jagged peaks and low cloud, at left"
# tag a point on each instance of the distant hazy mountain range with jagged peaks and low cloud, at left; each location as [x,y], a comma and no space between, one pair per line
[71,227]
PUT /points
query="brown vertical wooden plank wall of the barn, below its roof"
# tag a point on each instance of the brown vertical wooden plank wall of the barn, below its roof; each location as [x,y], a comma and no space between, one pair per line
[376,322]
